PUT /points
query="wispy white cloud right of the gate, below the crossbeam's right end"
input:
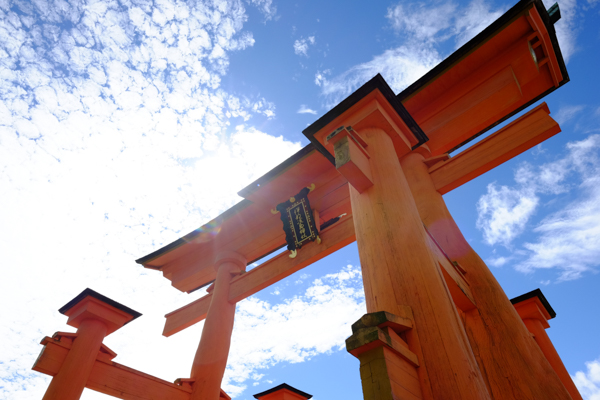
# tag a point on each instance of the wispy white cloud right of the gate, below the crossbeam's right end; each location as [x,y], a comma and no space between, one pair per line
[568,240]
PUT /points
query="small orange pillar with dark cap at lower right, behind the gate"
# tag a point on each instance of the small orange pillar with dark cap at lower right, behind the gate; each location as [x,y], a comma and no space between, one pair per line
[535,311]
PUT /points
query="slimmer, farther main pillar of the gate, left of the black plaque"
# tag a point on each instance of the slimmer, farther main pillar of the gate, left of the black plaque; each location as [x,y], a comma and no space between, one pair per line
[210,361]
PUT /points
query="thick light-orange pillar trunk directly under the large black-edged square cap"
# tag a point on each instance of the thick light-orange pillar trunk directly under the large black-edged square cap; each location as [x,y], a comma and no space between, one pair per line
[400,270]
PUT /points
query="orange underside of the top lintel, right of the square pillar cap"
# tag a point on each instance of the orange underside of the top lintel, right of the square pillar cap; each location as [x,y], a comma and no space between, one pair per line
[479,91]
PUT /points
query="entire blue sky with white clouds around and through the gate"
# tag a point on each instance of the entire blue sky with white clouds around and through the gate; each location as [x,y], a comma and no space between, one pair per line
[125,125]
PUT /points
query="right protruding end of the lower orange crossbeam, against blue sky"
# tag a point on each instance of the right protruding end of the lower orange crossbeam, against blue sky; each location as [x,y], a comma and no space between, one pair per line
[510,141]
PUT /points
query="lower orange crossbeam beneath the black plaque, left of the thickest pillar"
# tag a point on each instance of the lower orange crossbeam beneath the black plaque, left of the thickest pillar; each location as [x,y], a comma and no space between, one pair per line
[333,238]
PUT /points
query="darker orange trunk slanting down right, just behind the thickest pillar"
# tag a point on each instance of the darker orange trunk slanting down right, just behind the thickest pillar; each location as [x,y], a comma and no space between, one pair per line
[514,367]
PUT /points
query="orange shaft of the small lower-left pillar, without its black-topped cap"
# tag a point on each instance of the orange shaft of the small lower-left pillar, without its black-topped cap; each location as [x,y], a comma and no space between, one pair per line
[69,382]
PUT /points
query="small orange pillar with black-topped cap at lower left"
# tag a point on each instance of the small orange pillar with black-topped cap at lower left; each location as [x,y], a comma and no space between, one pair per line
[95,317]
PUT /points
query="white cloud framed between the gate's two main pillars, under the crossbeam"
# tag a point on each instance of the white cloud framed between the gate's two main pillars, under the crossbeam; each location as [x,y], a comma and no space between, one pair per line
[265,335]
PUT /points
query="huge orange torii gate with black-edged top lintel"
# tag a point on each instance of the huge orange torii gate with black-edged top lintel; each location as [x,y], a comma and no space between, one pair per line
[439,325]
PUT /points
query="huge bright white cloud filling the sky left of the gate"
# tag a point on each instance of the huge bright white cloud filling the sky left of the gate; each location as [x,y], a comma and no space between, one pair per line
[115,139]
